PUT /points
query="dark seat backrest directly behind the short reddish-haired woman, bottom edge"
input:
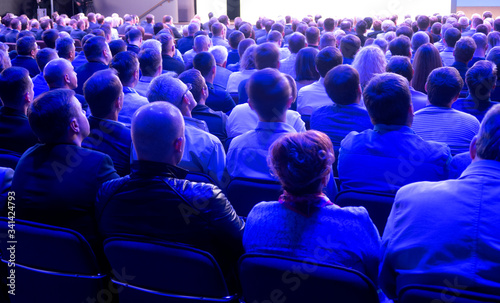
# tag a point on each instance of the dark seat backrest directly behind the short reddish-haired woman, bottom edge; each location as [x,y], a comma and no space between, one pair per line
[293,280]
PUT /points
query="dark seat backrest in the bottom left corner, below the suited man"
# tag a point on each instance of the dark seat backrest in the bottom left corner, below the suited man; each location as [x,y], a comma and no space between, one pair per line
[49,248]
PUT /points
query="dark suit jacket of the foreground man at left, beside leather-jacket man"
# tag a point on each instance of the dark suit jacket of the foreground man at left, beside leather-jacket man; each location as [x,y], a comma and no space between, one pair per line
[57,184]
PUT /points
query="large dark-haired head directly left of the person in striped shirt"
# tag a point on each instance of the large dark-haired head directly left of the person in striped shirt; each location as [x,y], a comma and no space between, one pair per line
[388,99]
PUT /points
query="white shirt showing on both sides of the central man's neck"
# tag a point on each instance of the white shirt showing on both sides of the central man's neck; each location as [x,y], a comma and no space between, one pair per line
[243,119]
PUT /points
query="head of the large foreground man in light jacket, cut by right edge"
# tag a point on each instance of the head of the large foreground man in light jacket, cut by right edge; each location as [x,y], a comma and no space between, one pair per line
[488,138]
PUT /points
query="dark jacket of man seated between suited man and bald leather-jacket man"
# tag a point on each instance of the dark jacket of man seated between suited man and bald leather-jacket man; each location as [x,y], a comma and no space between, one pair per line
[112,138]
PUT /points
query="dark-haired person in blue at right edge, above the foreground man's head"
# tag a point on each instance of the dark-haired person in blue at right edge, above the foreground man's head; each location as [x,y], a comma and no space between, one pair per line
[481,80]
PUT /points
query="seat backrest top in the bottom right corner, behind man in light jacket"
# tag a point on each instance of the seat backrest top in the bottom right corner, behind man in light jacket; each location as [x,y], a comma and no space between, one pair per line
[435,294]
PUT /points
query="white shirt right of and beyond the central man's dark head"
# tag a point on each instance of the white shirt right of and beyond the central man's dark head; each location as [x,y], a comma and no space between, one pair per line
[312,97]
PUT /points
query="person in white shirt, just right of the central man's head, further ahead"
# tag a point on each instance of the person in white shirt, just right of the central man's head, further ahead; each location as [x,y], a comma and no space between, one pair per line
[314,96]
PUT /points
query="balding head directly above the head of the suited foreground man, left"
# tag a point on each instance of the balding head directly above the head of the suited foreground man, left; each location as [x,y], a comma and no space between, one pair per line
[59,73]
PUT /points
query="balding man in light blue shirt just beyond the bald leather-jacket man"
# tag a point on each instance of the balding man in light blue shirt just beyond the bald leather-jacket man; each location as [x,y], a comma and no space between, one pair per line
[204,152]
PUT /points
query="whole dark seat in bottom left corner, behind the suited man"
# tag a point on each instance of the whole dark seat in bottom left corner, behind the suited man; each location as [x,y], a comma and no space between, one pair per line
[52,264]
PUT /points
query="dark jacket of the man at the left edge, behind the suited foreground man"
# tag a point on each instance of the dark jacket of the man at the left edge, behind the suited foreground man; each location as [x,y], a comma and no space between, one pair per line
[15,131]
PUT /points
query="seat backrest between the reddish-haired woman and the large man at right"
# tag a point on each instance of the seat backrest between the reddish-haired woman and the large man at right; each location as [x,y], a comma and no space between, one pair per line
[378,205]
